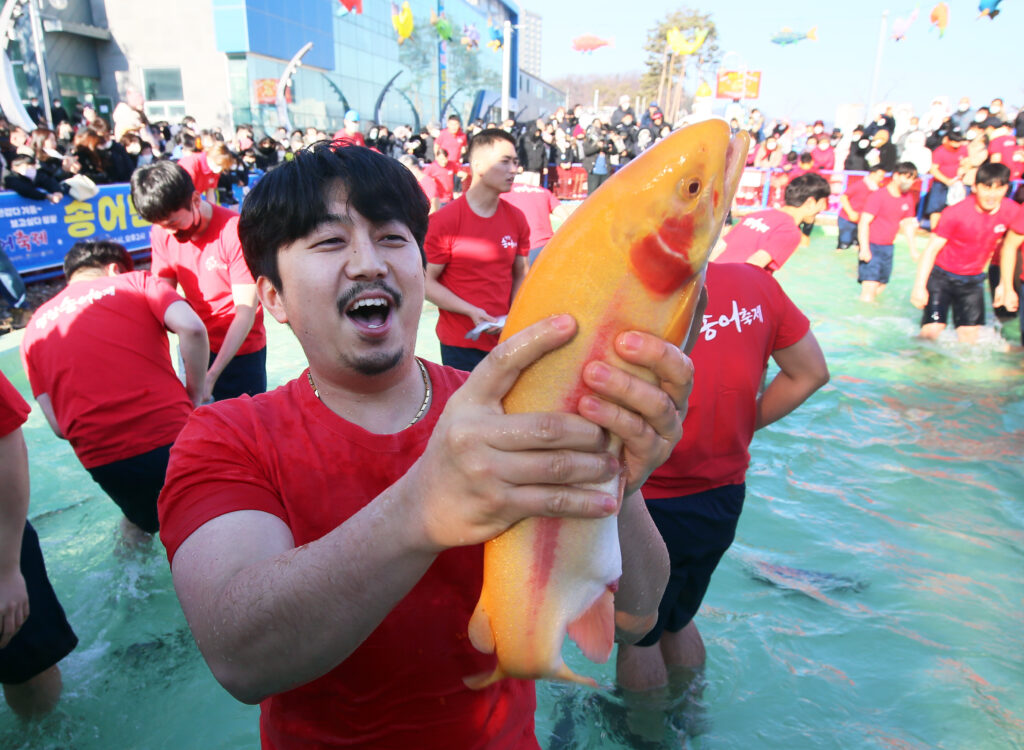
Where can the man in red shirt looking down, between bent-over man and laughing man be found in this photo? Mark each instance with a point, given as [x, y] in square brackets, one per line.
[196, 245]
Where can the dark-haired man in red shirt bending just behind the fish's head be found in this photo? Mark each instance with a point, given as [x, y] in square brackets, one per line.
[769, 238]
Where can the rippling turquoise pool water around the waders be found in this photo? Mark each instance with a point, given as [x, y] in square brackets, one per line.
[874, 597]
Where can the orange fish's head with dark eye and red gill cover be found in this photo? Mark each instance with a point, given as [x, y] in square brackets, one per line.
[686, 199]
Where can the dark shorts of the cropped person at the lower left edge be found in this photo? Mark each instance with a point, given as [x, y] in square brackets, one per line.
[46, 638]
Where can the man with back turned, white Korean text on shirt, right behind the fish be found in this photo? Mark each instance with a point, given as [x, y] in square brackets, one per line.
[697, 496]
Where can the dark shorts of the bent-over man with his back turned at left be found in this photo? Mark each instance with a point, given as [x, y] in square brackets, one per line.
[135, 484]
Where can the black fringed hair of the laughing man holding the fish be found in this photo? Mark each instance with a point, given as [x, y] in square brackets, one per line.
[291, 201]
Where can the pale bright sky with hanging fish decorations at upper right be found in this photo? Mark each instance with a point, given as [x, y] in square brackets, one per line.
[812, 79]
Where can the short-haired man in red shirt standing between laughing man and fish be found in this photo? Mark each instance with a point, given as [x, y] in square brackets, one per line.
[477, 255]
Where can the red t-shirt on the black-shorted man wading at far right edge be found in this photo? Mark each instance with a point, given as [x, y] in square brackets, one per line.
[972, 236]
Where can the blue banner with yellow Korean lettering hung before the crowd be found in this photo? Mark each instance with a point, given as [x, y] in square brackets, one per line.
[37, 235]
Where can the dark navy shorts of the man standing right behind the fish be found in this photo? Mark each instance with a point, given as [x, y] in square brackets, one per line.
[697, 529]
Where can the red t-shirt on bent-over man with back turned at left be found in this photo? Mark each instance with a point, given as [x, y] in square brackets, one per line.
[100, 351]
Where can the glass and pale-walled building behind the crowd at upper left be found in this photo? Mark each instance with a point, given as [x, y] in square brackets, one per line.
[222, 61]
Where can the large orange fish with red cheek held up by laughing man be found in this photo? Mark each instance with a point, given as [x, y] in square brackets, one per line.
[631, 258]
